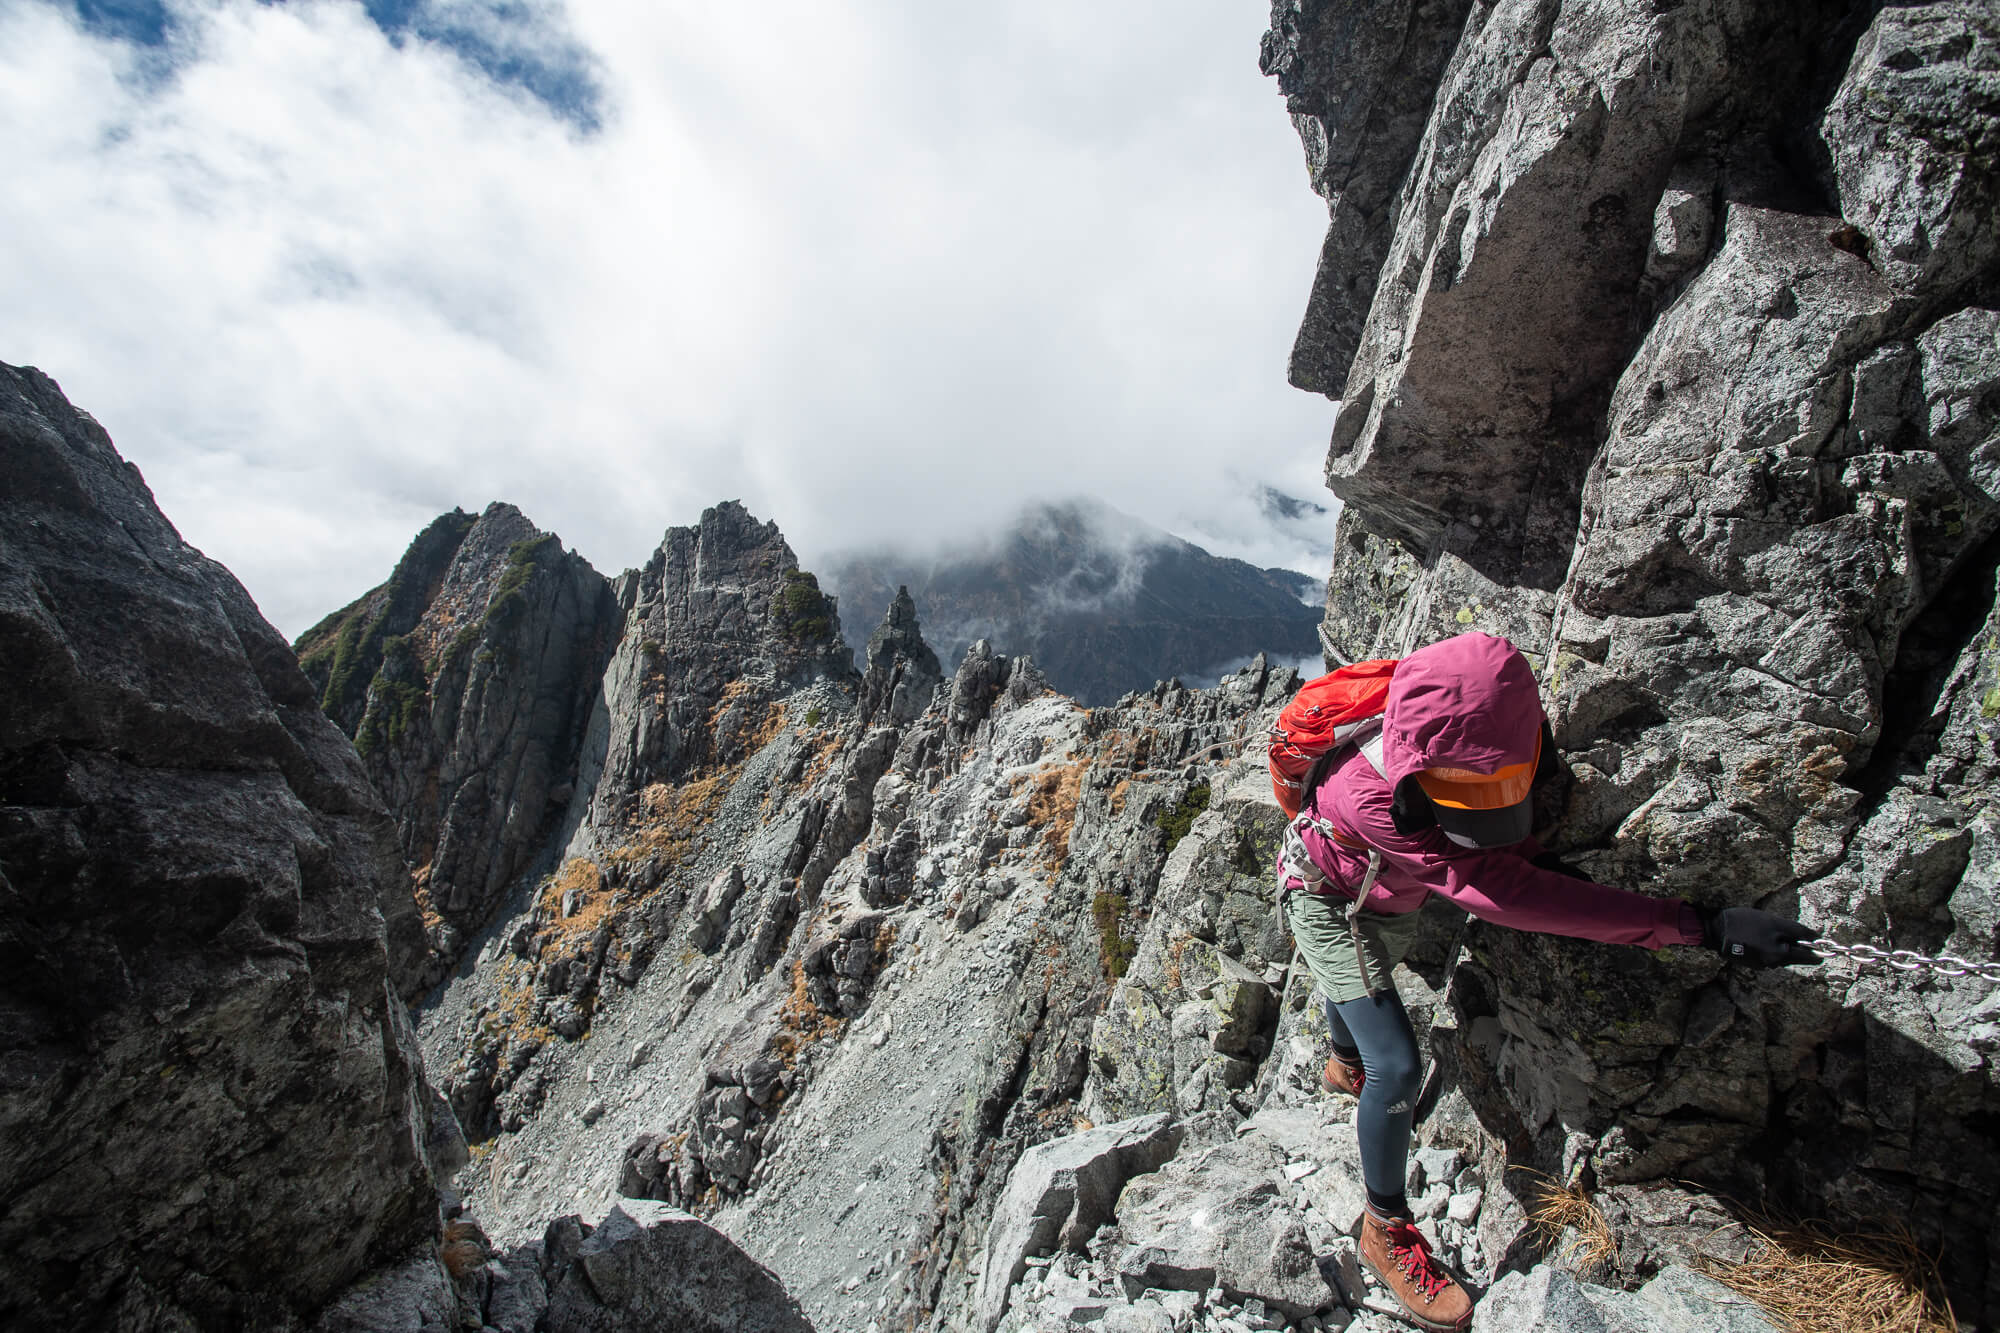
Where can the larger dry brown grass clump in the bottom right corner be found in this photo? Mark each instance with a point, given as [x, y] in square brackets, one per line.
[1817, 1282]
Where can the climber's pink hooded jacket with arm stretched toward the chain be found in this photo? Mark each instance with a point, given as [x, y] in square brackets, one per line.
[1469, 704]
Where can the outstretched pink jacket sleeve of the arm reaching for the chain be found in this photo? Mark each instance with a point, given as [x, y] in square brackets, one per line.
[1503, 888]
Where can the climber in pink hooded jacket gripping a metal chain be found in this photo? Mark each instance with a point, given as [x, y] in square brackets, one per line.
[1439, 802]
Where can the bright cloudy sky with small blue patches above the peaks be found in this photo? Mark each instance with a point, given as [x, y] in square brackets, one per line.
[883, 271]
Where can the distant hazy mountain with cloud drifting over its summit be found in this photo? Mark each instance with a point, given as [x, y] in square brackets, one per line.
[1103, 601]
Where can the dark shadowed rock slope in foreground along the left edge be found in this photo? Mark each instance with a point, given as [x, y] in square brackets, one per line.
[211, 1104]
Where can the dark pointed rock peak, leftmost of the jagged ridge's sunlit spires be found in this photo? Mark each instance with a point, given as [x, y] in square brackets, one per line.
[465, 684]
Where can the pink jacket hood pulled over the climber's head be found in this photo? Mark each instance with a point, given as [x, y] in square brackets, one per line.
[1461, 704]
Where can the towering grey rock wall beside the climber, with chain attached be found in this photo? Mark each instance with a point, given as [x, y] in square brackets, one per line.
[1667, 347]
